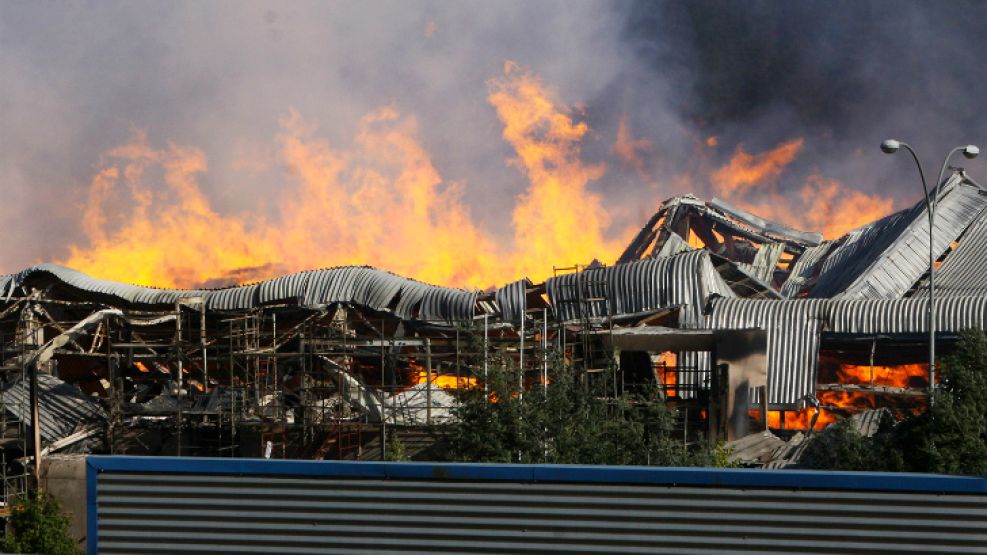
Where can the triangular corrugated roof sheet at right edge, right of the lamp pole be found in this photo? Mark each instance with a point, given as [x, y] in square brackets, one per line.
[963, 272]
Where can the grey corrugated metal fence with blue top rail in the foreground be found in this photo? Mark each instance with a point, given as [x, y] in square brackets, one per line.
[173, 505]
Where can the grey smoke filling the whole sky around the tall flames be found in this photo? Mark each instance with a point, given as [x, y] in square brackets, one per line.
[669, 93]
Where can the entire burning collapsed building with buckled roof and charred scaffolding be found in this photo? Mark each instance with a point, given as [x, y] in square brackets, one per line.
[722, 311]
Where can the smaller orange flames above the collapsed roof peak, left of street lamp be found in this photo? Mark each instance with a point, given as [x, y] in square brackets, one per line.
[822, 204]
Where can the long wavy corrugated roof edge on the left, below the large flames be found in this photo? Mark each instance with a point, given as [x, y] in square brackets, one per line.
[363, 286]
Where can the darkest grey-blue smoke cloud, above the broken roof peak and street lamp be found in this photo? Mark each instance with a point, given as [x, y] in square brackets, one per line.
[842, 75]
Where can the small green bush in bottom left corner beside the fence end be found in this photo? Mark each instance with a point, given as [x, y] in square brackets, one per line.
[37, 525]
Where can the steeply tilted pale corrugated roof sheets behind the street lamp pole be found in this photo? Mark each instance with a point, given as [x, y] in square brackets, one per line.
[886, 258]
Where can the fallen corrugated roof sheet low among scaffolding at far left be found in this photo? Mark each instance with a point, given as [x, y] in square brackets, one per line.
[62, 407]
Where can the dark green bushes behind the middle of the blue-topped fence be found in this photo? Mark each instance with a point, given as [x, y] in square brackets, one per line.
[565, 423]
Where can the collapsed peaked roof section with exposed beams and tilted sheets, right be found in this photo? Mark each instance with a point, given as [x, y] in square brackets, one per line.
[886, 259]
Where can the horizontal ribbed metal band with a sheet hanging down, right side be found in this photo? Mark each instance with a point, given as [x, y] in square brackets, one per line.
[794, 328]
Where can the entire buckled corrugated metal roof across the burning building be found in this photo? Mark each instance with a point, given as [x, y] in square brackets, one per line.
[706, 264]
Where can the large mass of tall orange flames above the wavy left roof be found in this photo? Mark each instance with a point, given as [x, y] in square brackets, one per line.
[380, 201]
